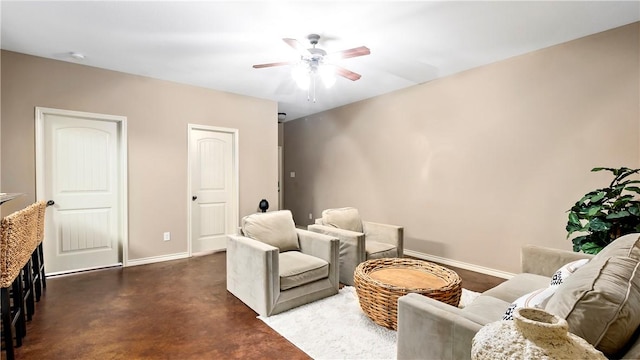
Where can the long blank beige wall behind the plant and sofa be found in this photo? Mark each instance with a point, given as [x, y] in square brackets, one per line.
[476, 164]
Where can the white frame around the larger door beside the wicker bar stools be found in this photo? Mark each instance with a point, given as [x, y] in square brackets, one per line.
[121, 122]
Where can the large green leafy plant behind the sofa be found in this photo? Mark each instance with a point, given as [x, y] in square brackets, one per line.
[603, 215]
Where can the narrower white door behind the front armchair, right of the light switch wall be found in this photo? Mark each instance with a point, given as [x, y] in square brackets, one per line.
[213, 189]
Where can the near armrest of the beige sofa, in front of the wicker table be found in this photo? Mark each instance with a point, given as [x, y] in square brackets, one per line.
[448, 332]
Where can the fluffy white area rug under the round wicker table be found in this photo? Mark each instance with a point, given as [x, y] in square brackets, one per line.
[336, 328]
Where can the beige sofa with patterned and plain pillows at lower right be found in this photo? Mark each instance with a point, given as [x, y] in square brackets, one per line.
[600, 301]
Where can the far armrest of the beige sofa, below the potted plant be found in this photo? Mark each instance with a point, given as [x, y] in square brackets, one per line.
[545, 261]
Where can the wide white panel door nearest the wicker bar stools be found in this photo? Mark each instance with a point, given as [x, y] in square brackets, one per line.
[81, 169]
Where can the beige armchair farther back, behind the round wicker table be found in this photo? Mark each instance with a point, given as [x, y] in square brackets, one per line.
[359, 240]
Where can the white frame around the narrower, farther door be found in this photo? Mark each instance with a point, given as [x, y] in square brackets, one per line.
[236, 173]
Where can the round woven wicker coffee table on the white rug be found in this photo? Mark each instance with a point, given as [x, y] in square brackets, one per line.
[380, 282]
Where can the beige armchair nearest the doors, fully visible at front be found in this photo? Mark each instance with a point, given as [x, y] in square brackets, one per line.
[273, 267]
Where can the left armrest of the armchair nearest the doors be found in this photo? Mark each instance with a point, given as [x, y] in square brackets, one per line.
[252, 272]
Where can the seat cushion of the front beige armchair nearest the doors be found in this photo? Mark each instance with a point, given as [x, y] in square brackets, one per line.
[298, 269]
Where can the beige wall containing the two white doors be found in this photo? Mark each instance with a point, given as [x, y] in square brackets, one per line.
[157, 113]
